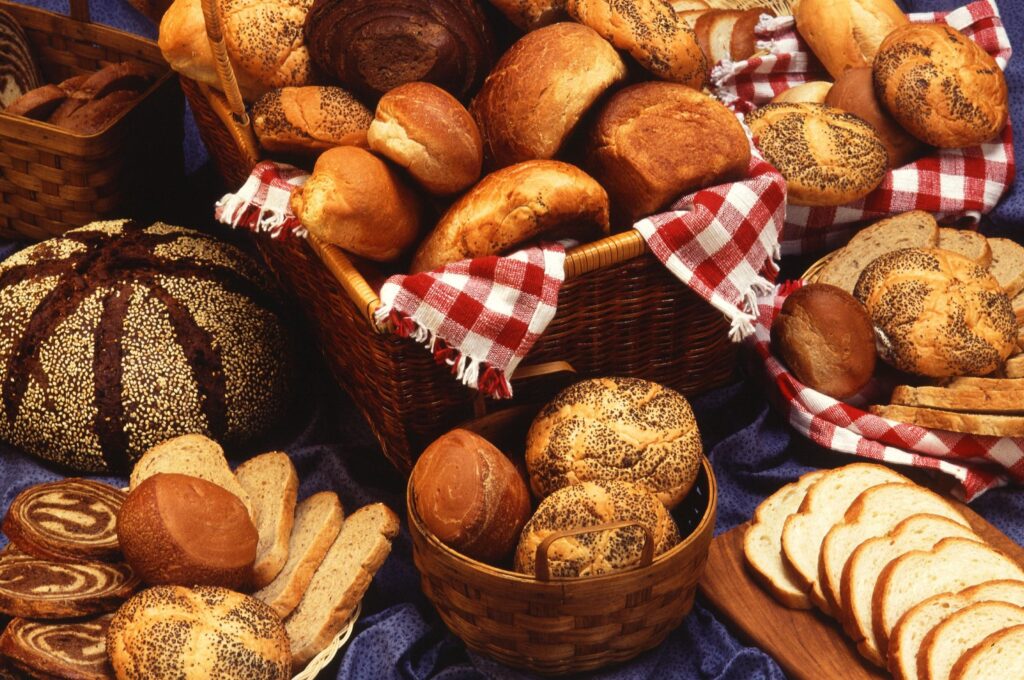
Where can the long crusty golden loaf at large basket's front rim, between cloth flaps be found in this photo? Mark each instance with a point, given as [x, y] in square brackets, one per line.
[515, 206]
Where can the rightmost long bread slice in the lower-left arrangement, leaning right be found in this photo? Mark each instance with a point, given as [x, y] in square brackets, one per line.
[340, 582]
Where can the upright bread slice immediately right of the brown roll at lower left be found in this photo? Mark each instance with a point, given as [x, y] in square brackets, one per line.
[273, 486]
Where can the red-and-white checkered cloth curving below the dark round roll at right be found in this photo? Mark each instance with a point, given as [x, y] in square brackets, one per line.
[978, 463]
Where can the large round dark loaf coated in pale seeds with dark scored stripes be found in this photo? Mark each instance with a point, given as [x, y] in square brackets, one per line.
[118, 336]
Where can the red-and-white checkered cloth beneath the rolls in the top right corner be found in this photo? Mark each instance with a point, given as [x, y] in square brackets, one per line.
[956, 185]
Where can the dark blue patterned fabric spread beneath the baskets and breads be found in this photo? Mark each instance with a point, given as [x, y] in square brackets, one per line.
[752, 450]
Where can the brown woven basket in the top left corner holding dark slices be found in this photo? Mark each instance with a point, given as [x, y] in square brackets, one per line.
[53, 180]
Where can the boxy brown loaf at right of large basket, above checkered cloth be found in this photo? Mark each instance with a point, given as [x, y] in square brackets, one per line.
[655, 142]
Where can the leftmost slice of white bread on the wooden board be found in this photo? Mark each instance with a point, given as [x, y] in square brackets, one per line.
[763, 542]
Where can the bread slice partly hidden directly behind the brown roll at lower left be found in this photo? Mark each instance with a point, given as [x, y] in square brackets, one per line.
[195, 456]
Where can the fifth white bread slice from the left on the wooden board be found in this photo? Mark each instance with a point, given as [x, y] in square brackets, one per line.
[951, 567]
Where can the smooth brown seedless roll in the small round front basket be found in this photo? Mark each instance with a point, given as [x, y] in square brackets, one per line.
[471, 496]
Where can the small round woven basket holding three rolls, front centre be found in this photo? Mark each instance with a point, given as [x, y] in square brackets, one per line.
[561, 626]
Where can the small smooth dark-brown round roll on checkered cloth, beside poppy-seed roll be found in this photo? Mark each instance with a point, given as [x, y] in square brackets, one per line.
[826, 338]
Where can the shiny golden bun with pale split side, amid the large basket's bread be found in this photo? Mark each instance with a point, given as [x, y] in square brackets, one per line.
[425, 131]
